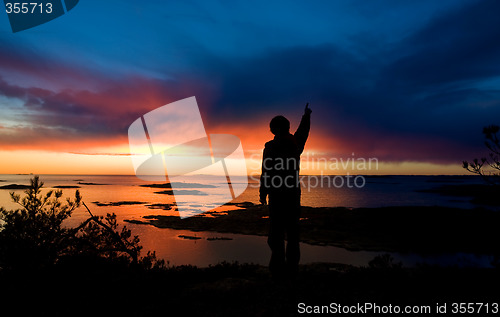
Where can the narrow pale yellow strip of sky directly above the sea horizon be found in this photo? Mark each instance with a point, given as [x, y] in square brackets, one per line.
[38, 162]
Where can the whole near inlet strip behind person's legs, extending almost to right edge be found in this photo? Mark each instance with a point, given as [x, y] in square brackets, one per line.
[253, 249]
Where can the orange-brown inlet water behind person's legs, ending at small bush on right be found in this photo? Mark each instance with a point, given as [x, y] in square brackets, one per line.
[241, 248]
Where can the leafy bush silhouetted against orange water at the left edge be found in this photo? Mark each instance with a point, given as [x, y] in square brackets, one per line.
[34, 236]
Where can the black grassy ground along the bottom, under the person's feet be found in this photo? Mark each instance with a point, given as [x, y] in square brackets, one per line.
[80, 287]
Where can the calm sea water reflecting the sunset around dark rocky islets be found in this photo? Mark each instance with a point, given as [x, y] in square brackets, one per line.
[377, 192]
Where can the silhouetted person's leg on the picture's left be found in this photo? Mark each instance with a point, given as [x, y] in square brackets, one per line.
[276, 239]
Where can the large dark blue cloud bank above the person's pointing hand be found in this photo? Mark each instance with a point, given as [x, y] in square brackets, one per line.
[428, 86]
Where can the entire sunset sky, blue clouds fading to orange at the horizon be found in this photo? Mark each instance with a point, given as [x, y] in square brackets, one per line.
[410, 83]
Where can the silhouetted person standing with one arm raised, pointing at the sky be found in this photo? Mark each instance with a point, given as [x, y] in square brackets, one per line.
[280, 181]
